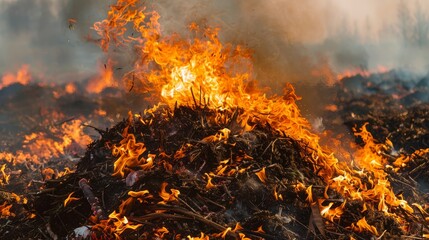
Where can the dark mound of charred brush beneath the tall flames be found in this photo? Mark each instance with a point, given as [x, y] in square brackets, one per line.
[189, 171]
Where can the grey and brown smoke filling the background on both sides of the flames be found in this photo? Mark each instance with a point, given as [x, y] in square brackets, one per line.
[295, 41]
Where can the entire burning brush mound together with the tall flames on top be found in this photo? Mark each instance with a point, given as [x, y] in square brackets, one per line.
[216, 159]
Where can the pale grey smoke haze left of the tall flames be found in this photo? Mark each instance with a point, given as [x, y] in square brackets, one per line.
[37, 33]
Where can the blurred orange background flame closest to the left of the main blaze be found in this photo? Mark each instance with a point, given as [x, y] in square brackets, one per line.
[104, 80]
